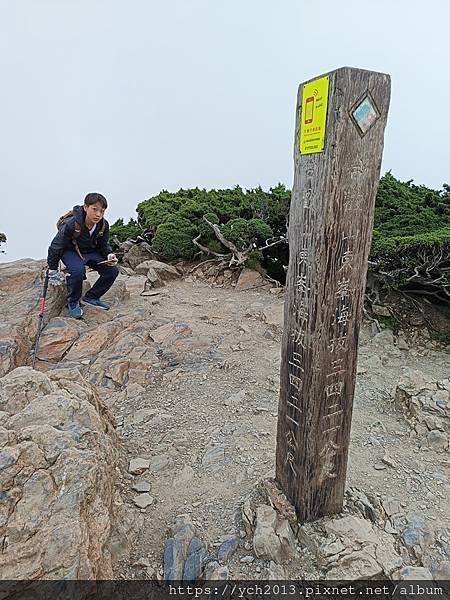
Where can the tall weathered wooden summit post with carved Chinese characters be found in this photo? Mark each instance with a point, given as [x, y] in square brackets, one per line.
[340, 122]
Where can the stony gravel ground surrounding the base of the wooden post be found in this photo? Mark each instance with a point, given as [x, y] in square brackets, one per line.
[190, 372]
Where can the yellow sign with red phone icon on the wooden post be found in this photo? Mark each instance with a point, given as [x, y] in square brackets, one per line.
[314, 116]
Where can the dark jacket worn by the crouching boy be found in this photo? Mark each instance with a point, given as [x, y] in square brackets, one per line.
[86, 243]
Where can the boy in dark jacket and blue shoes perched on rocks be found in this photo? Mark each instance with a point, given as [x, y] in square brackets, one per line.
[82, 239]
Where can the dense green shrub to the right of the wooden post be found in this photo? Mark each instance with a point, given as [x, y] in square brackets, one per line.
[411, 238]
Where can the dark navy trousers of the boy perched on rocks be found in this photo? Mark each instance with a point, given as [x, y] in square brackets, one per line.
[76, 267]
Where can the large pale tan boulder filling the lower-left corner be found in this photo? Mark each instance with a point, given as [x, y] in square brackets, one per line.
[57, 474]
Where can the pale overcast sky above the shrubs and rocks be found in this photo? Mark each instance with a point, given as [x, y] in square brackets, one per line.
[128, 98]
